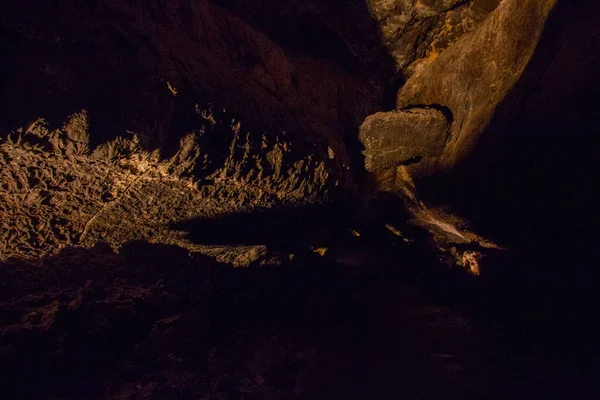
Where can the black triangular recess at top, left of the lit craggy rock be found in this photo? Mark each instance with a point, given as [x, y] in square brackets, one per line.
[340, 31]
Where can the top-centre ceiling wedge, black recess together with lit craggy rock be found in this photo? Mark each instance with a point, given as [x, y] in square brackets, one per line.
[376, 38]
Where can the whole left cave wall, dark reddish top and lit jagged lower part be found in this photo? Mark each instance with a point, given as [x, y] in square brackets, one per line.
[163, 105]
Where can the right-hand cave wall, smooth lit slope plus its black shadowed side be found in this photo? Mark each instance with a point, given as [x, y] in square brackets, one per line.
[520, 90]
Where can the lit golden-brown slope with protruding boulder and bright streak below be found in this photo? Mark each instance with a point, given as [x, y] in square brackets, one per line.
[468, 82]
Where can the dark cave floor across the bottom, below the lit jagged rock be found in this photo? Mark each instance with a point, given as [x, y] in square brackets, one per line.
[363, 321]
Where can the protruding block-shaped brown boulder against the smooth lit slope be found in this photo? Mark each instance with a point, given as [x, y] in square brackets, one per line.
[402, 137]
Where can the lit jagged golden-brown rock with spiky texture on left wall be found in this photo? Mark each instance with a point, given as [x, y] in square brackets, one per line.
[57, 193]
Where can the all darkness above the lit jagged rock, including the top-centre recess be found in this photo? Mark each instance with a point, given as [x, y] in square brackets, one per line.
[61, 59]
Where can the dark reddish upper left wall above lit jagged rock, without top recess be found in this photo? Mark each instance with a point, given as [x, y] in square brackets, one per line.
[138, 66]
